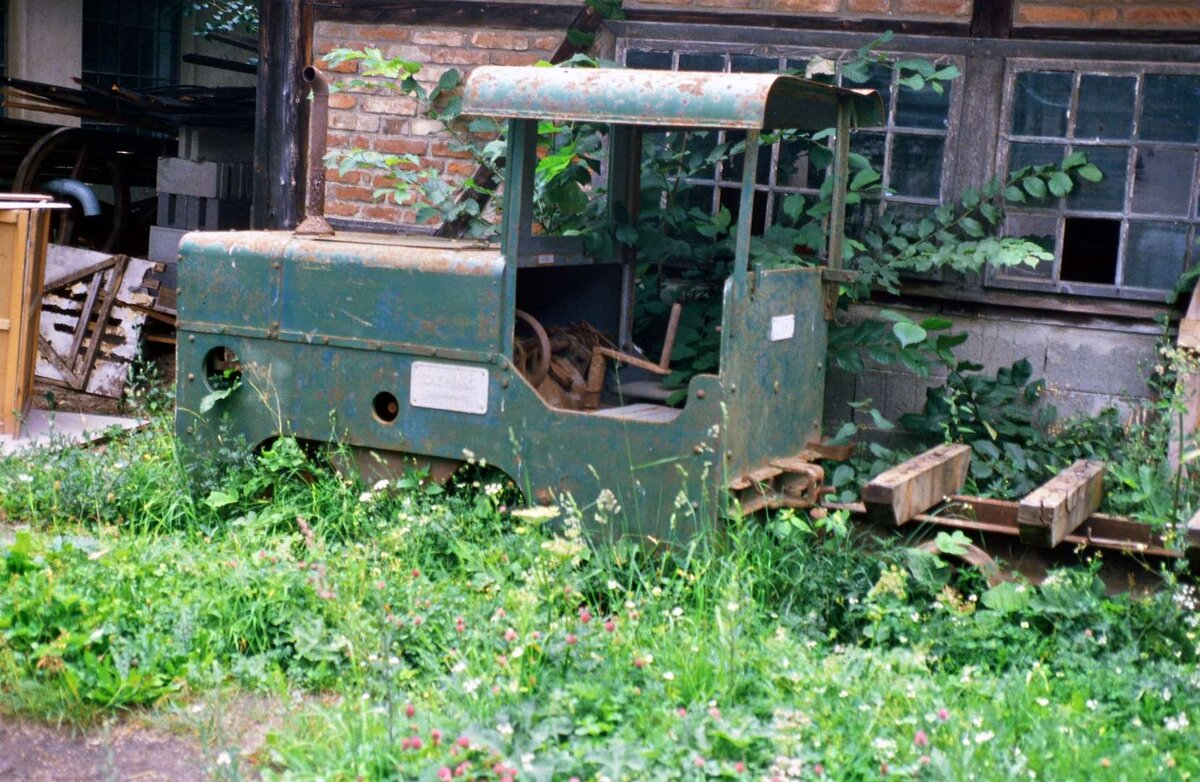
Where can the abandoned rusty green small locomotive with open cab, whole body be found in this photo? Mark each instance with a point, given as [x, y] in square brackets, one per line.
[421, 351]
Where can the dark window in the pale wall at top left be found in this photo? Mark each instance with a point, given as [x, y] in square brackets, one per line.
[131, 44]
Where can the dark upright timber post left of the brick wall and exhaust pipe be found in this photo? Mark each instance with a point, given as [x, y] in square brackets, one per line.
[279, 129]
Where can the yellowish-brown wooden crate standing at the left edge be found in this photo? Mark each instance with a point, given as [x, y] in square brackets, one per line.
[25, 228]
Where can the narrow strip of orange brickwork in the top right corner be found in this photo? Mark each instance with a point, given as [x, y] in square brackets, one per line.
[1147, 15]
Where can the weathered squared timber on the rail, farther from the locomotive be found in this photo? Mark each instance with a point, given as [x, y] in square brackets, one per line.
[1057, 508]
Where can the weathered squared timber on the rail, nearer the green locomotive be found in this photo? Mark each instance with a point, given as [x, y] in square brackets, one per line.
[917, 485]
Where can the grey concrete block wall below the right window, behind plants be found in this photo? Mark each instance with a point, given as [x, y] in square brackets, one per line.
[1089, 365]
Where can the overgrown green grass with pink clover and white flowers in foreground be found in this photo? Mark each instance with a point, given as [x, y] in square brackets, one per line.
[449, 637]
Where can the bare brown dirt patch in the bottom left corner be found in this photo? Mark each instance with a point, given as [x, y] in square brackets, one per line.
[39, 753]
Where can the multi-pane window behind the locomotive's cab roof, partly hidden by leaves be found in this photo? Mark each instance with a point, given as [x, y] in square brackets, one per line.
[910, 152]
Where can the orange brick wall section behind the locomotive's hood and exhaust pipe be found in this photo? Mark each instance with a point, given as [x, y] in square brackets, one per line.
[377, 119]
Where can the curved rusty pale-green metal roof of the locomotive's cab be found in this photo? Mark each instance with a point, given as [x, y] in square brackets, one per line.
[673, 99]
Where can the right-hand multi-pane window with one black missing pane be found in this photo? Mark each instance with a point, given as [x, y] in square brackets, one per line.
[1132, 234]
